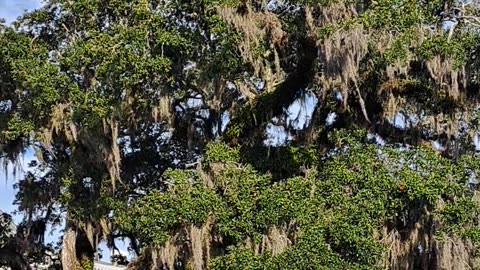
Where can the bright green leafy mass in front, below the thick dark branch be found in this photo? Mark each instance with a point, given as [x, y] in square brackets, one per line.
[345, 216]
